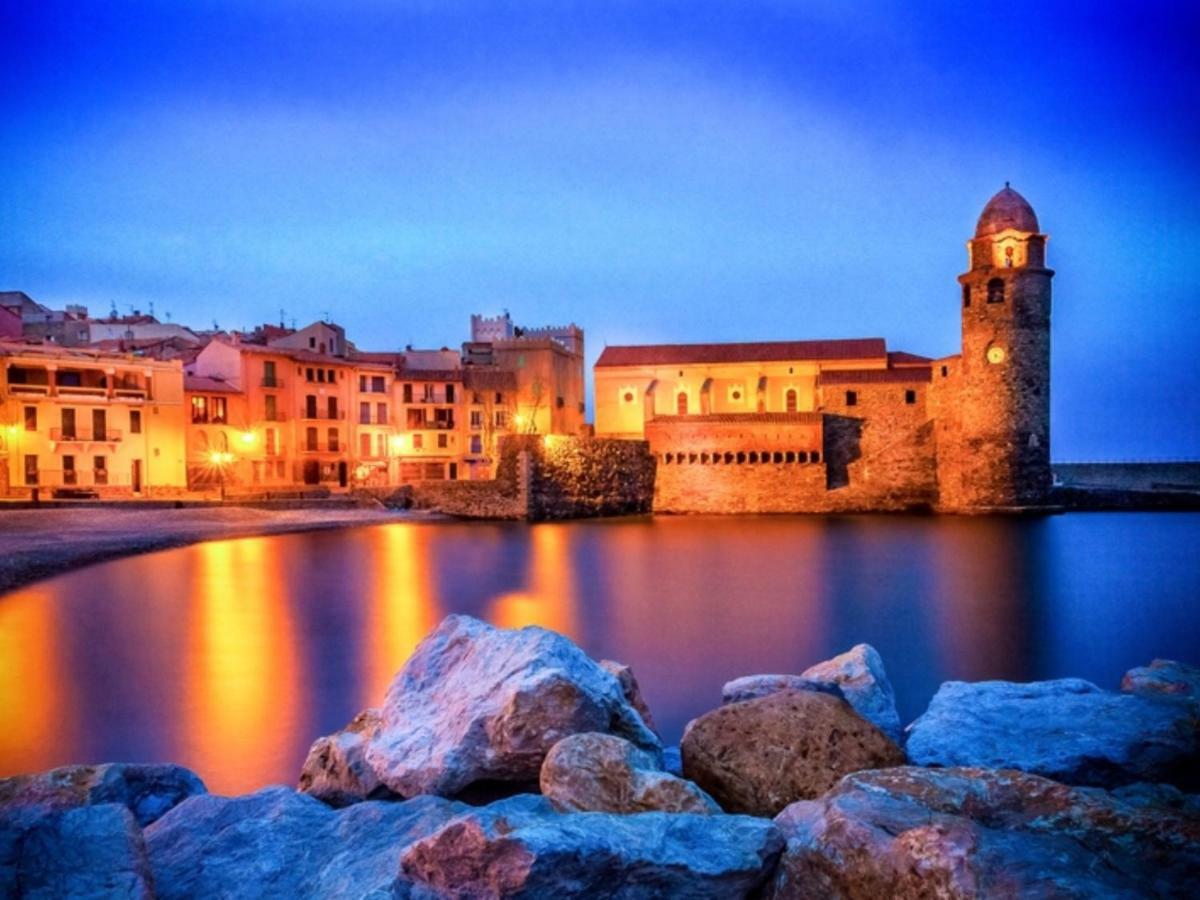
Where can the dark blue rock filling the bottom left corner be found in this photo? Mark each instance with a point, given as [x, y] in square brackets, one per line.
[94, 851]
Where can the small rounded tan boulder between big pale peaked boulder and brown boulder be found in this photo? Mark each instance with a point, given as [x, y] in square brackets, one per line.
[602, 773]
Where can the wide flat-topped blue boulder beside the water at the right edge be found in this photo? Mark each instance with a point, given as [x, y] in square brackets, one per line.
[1069, 730]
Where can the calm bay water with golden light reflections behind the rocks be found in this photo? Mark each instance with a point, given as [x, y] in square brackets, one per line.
[231, 657]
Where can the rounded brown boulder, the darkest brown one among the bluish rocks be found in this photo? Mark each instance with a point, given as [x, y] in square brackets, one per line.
[760, 755]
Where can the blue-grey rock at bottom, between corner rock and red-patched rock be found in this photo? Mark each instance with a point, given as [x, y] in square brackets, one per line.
[279, 843]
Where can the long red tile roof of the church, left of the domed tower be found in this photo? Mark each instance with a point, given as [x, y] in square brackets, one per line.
[670, 355]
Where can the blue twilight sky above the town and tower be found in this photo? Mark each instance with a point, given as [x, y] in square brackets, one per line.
[656, 172]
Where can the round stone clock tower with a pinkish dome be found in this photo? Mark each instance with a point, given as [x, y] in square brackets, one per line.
[1001, 457]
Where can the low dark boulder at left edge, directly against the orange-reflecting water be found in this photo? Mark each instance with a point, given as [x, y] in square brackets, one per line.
[148, 791]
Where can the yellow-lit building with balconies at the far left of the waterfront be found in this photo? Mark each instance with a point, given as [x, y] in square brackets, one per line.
[80, 421]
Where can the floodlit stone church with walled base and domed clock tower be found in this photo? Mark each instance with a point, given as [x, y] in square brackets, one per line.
[826, 425]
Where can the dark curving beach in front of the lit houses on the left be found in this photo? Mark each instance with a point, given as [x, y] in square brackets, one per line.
[47, 543]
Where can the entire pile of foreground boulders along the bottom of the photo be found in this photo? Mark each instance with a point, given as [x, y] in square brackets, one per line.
[507, 764]
